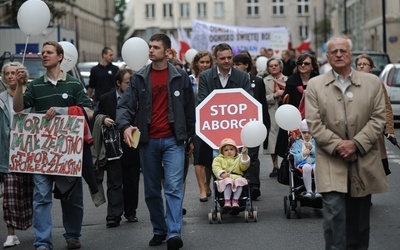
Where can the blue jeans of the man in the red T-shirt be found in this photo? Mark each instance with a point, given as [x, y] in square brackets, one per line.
[164, 159]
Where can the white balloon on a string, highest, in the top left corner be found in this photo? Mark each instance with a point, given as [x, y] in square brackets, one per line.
[33, 17]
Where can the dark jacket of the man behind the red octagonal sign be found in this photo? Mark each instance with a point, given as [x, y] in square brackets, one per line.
[209, 80]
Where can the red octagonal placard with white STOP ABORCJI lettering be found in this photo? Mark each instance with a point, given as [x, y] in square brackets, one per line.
[223, 113]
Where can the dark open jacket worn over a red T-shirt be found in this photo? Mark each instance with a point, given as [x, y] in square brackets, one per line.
[135, 106]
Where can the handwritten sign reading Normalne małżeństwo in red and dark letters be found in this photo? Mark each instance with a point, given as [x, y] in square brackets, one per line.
[41, 146]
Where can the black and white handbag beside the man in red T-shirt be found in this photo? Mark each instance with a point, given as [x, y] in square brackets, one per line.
[112, 142]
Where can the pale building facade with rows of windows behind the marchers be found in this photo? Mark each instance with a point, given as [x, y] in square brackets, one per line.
[145, 17]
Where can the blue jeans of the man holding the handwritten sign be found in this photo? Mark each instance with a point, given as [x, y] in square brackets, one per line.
[72, 210]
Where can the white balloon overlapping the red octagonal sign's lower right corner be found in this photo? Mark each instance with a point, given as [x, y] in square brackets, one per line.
[253, 134]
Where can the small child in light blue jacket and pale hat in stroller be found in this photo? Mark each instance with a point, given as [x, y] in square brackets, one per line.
[303, 151]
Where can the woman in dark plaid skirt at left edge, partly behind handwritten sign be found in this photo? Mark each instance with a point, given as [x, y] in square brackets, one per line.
[18, 187]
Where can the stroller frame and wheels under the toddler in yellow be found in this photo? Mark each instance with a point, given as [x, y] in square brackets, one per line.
[245, 204]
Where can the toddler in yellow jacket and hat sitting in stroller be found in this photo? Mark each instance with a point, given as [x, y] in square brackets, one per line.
[229, 167]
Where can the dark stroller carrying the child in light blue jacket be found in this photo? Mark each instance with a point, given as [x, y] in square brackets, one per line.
[295, 200]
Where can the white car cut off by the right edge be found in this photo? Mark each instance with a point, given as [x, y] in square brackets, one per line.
[390, 77]
